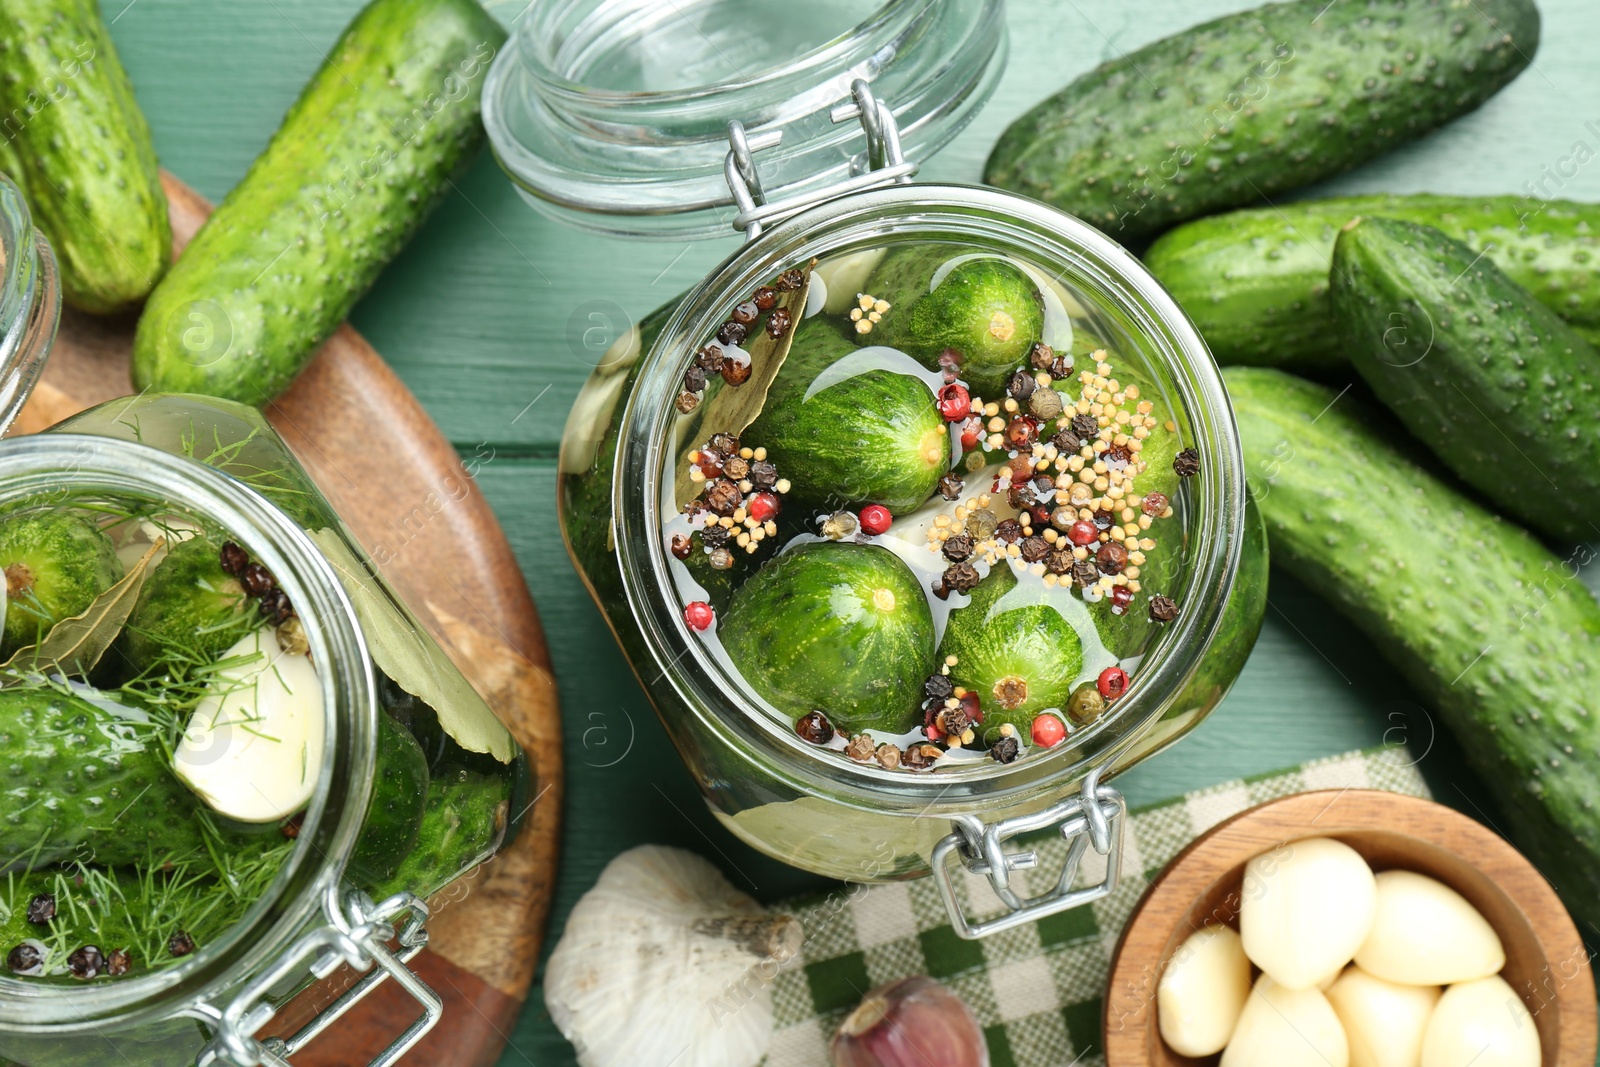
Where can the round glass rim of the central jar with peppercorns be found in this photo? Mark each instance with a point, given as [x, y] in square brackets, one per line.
[646, 444]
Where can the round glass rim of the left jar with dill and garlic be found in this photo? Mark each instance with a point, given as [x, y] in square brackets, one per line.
[47, 465]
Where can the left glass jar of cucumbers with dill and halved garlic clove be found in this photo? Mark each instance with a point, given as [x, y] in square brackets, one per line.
[231, 756]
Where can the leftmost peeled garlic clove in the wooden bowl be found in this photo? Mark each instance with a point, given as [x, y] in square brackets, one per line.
[1202, 993]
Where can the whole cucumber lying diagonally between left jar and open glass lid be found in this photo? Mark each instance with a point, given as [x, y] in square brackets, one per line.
[361, 159]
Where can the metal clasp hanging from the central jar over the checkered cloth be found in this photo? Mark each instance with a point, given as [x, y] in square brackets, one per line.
[1094, 817]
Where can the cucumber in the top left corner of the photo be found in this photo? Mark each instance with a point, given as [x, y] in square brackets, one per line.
[81, 151]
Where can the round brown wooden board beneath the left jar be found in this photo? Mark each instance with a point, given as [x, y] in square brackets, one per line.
[399, 484]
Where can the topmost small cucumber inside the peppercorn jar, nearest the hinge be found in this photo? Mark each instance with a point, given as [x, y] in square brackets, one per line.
[985, 308]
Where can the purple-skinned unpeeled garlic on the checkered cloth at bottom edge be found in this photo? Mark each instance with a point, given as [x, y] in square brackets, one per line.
[911, 1023]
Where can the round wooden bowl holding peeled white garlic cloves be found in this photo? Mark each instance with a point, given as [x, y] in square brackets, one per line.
[1546, 961]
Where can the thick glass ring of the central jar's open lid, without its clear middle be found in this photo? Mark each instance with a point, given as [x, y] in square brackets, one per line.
[652, 164]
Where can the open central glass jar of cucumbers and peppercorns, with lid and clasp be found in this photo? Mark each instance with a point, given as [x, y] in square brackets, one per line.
[924, 514]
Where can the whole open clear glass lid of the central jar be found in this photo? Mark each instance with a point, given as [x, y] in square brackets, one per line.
[614, 116]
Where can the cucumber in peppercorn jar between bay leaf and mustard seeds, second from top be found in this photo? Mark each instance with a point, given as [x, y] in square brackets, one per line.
[870, 436]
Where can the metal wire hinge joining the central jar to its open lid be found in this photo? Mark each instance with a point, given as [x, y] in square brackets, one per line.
[887, 164]
